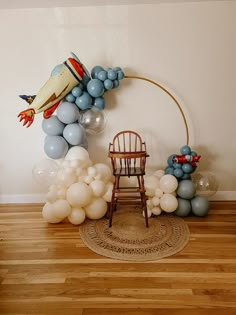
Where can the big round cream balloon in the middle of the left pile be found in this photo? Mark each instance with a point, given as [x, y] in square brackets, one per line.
[79, 194]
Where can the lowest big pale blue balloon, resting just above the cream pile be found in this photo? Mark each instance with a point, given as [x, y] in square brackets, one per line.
[55, 147]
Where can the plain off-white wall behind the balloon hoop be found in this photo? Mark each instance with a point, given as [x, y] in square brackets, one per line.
[189, 48]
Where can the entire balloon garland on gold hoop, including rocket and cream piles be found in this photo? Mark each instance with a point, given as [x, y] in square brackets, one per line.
[77, 188]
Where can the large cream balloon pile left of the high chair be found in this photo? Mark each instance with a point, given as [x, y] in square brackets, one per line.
[80, 188]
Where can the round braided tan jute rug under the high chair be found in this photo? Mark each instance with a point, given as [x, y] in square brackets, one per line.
[129, 239]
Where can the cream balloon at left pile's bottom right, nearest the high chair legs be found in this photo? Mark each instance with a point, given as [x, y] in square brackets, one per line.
[96, 209]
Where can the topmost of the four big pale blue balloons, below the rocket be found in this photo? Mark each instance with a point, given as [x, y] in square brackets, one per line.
[67, 112]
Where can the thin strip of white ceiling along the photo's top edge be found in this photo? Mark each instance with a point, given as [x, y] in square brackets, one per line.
[16, 4]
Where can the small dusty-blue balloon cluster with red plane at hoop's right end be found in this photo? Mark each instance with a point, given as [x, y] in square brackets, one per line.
[181, 166]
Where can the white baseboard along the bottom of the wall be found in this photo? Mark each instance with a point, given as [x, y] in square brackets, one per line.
[41, 198]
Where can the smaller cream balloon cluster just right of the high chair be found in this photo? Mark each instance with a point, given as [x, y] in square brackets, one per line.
[160, 191]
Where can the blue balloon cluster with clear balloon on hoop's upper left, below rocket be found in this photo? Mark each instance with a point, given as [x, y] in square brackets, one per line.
[80, 113]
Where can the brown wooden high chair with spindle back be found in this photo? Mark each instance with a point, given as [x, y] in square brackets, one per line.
[128, 158]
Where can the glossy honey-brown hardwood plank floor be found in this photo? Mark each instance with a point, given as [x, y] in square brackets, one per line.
[46, 269]
